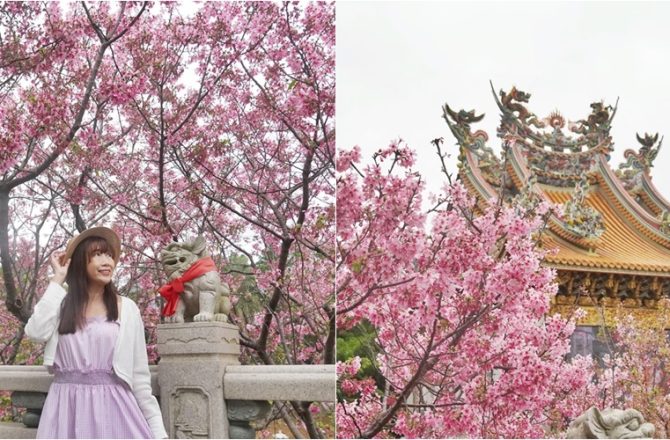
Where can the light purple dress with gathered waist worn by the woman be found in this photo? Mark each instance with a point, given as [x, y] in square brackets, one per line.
[86, 398]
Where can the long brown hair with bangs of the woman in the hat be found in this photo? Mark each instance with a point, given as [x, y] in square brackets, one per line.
[72, 314]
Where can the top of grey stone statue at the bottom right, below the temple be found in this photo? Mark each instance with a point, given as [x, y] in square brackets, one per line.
[610, 423]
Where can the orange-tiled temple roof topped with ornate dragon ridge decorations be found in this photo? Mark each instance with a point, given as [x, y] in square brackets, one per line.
[614, 221]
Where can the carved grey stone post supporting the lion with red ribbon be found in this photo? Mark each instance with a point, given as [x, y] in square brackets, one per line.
[194, 356]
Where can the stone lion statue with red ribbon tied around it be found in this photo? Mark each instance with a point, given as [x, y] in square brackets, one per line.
[205, 297]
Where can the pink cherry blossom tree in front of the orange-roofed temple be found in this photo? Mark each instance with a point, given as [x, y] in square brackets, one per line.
[459, 305]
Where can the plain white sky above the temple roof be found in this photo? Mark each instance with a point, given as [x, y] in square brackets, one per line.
[398, 63]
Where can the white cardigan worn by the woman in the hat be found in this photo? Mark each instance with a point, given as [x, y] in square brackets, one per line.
[130, 360]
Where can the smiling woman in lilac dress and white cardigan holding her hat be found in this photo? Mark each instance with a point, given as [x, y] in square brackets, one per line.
[95, 348]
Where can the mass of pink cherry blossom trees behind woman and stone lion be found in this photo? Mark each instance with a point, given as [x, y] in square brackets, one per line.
[165, 123]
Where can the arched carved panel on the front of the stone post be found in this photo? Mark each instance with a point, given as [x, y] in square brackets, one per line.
[191, 413]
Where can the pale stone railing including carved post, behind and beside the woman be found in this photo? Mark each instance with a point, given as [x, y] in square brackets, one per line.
[198, 377]
